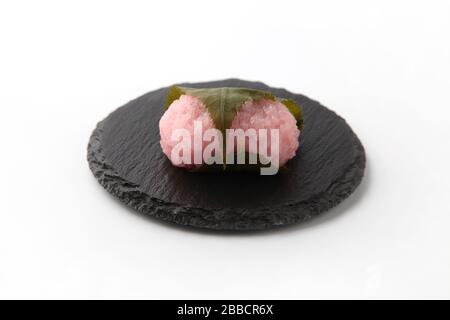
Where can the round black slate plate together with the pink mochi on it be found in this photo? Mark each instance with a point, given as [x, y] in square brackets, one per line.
[173, 153]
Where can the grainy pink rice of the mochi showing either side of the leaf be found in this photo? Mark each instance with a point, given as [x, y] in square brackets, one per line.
[259, 114]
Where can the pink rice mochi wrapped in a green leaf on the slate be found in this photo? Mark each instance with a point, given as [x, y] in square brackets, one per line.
[229, 126]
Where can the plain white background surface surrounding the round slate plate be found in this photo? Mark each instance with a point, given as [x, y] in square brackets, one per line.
[382, 65]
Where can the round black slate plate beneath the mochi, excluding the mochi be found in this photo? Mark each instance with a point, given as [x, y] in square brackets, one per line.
[125, 156]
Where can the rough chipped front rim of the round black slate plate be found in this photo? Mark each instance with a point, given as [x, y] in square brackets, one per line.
[224, 219]
